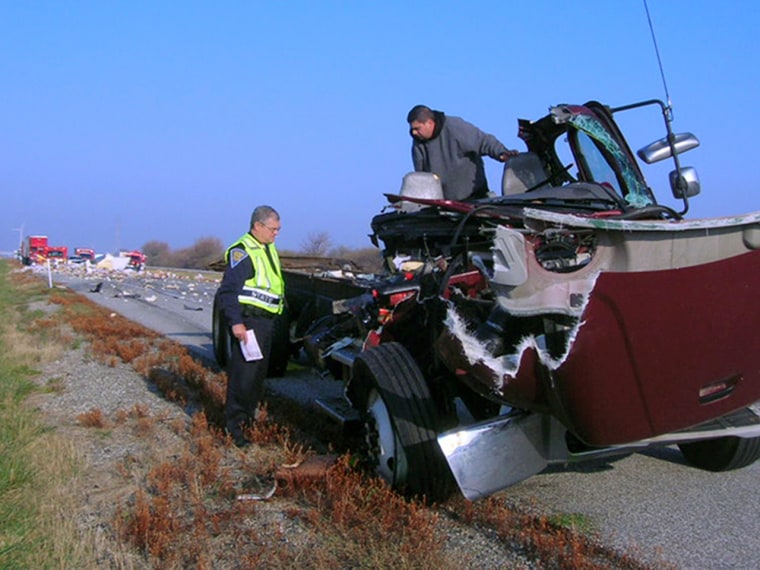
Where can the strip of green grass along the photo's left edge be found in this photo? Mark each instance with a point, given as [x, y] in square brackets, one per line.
[34, 465]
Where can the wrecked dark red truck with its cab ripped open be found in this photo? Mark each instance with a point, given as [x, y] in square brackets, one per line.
[570, 317]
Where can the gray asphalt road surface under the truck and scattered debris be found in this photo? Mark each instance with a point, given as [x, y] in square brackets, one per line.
[650, 504]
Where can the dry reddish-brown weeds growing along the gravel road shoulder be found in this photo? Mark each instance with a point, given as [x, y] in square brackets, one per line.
[185, 512]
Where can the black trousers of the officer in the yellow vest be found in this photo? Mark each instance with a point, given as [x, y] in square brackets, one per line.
[246, 379]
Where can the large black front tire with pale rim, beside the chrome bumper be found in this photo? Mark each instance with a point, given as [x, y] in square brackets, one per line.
[400, 420]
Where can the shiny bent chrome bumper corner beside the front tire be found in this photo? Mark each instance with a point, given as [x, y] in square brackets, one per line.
[489, 456]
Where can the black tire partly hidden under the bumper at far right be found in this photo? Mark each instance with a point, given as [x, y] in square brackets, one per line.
[722, 453]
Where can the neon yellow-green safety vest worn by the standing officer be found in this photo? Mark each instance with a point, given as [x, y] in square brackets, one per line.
[265, 289]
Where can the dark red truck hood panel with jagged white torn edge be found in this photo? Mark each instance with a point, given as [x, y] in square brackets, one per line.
[648, 343]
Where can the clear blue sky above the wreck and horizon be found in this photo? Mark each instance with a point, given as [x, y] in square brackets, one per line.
[130, 121]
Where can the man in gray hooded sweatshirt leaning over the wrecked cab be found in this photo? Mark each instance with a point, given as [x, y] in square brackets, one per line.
[453, 149]
